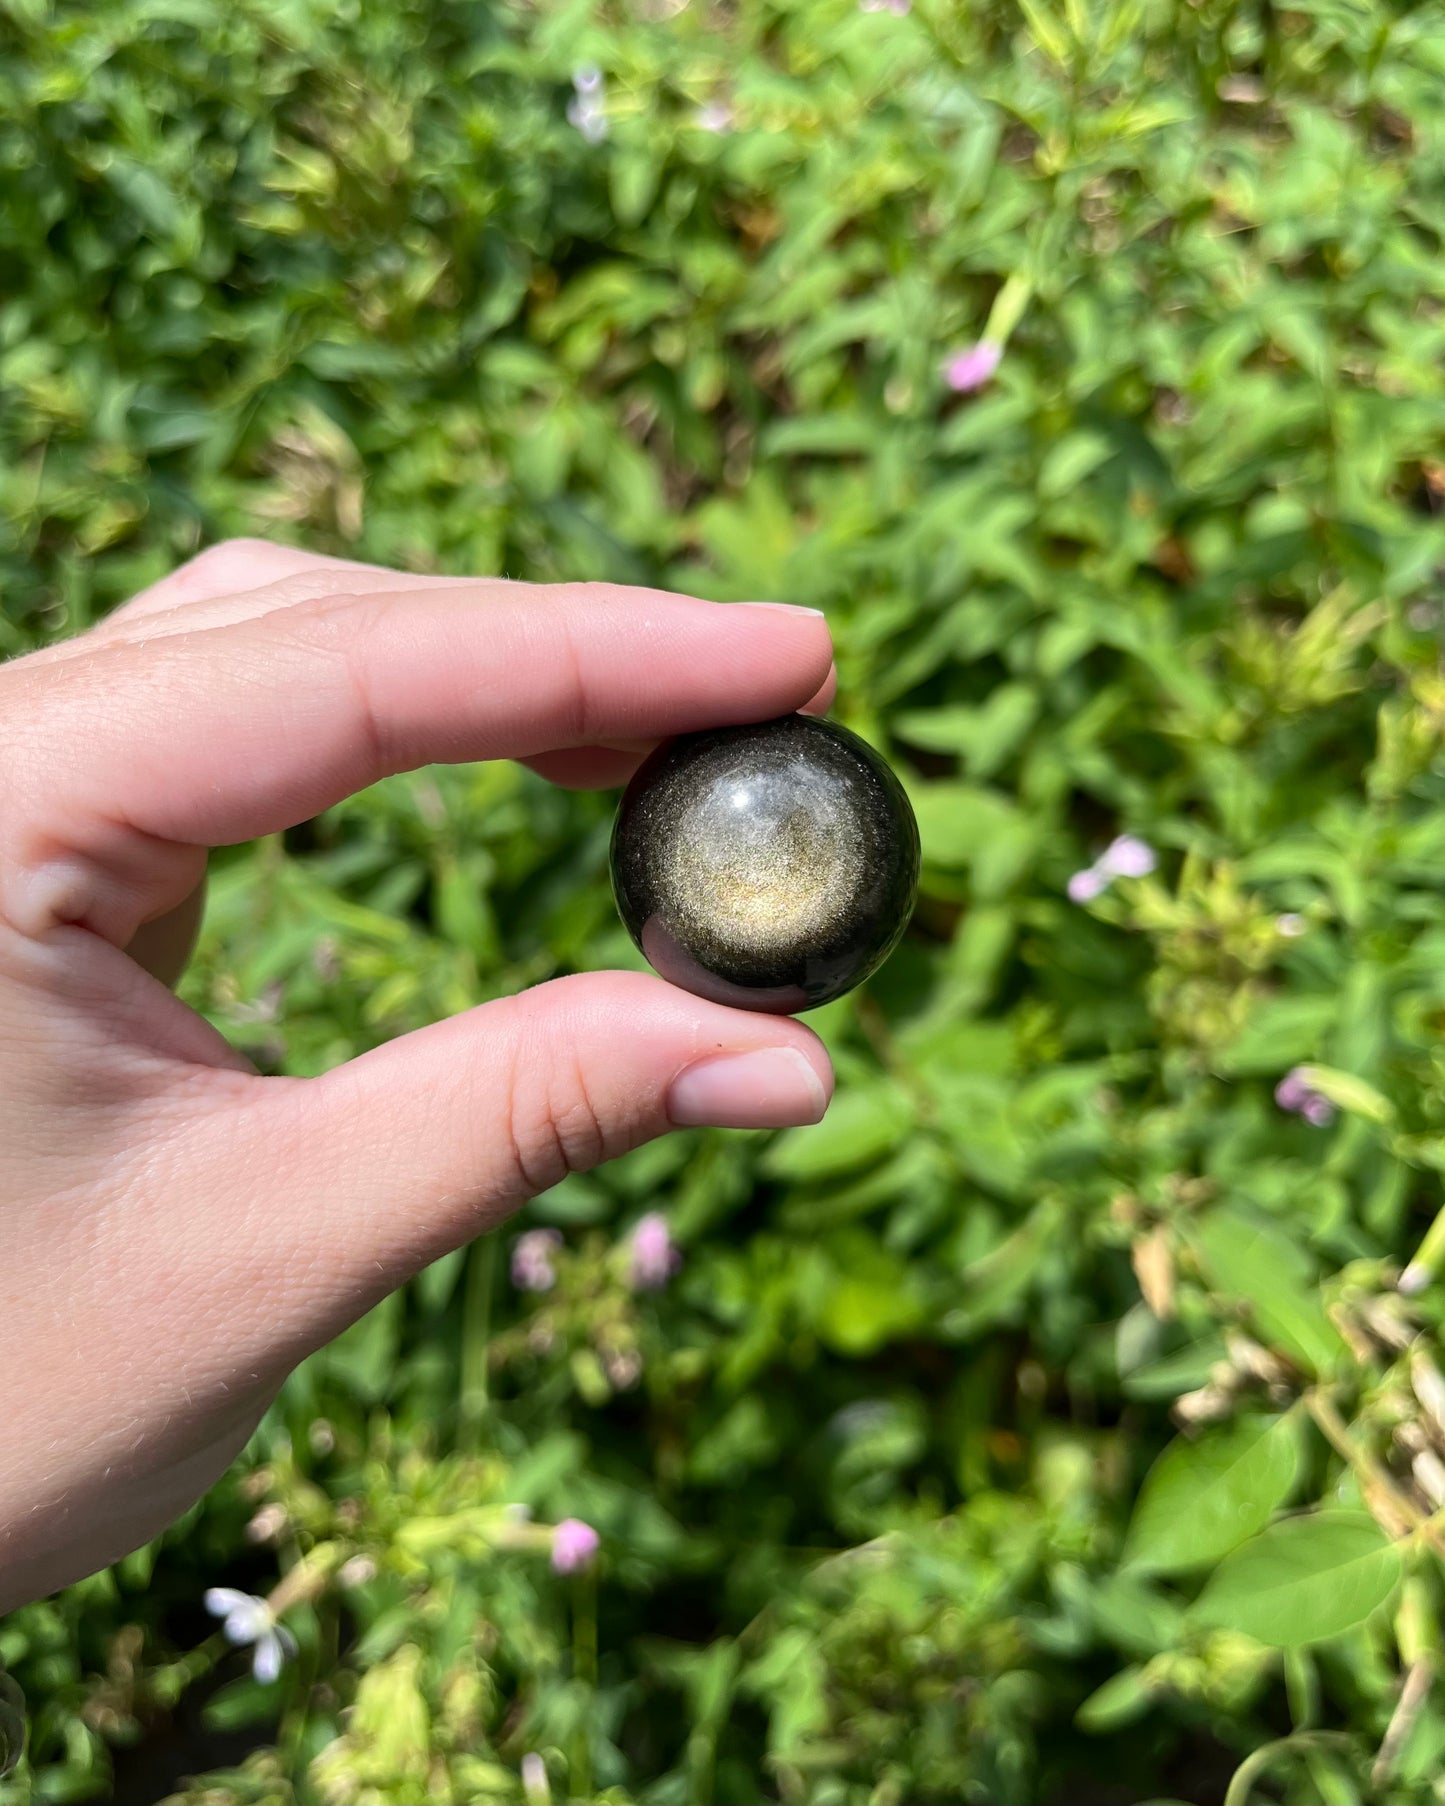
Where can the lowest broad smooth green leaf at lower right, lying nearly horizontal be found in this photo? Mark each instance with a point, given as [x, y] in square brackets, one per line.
[1303, 1581]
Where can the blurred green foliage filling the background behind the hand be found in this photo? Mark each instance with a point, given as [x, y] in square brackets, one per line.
[1050, 1424]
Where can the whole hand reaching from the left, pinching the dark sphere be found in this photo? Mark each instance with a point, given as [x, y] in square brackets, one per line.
[182, 1231]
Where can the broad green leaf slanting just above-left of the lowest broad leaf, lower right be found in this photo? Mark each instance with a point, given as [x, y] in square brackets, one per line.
[1206, 1496]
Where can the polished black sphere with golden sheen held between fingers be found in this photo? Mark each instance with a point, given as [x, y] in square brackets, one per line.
[770, 866]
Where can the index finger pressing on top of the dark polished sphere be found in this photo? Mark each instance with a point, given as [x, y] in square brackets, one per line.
[230, 732]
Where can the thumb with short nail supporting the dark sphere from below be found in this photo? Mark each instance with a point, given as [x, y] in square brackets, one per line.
[413, 1150]
